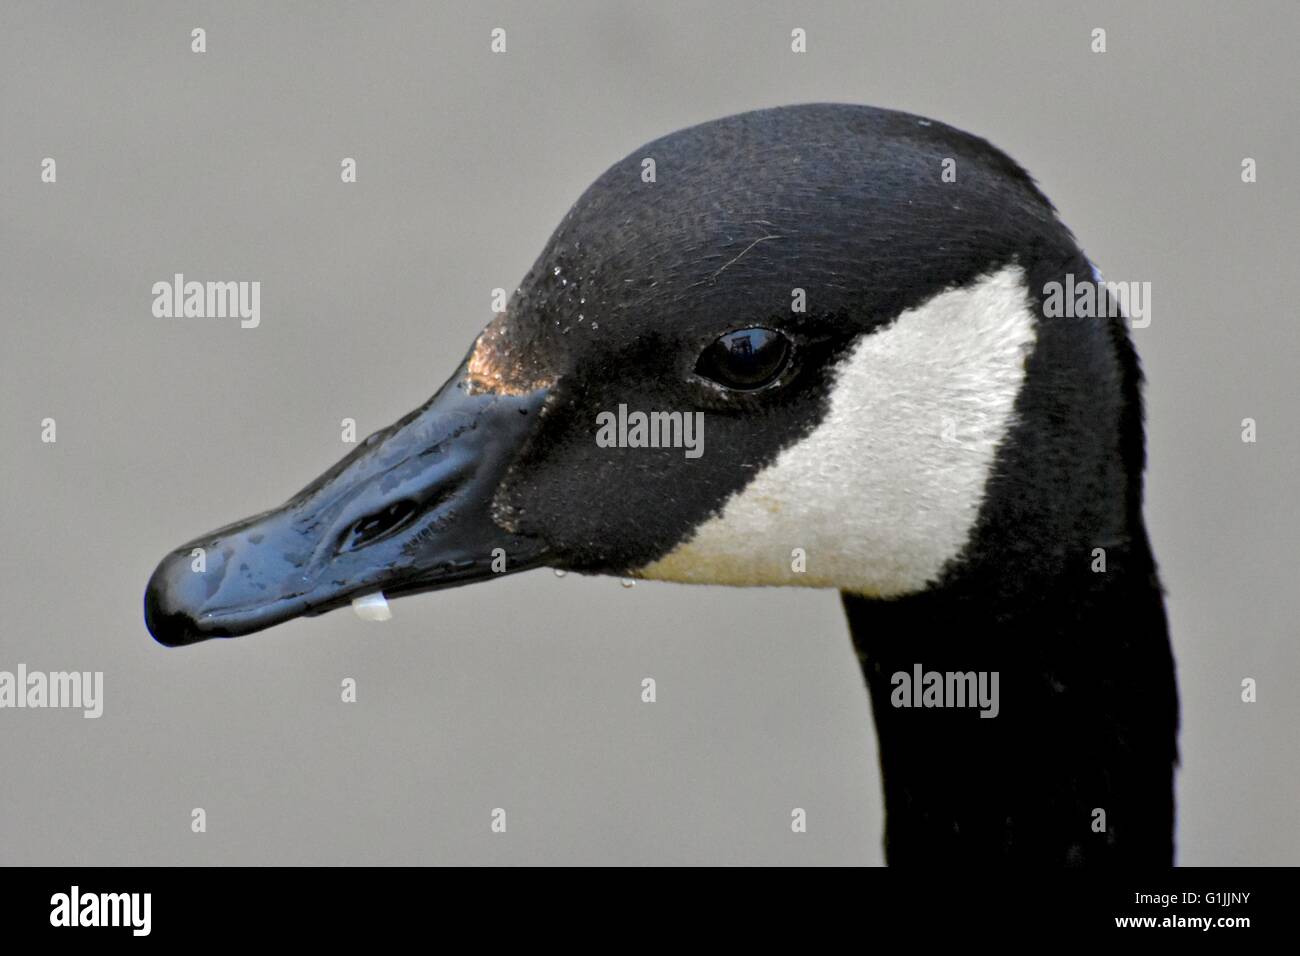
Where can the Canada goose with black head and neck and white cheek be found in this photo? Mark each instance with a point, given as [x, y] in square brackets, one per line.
[920, 435]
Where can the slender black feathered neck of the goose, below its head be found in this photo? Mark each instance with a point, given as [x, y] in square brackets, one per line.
[1087, 720]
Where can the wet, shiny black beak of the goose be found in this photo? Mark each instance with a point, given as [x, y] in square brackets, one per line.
[409, 511]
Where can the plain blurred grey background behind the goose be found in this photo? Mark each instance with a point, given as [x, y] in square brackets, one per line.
[525, 693]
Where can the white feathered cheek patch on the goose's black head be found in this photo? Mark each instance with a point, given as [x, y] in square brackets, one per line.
[885, 494]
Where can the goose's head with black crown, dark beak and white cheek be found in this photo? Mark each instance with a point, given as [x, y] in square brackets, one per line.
[848, 335]
